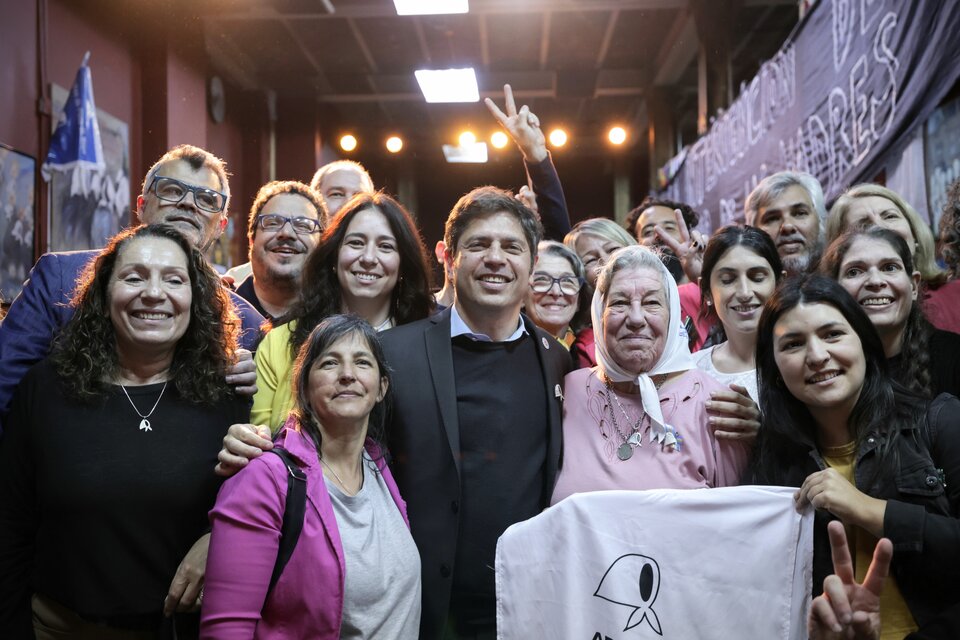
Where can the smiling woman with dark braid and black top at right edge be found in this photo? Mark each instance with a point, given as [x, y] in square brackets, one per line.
[876, 267]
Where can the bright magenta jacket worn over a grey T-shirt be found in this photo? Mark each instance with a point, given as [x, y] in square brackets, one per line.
[307, 601]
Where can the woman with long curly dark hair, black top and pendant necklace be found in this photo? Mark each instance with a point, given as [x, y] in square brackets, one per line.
[106, 465]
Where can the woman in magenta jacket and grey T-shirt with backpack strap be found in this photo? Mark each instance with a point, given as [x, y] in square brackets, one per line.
[355, 571]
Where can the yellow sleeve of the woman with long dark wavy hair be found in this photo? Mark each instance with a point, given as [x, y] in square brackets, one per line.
[274, 398]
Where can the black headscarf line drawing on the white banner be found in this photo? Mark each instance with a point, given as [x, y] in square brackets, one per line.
[619, 586]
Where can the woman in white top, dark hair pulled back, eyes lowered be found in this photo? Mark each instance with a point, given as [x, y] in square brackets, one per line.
[741, 268]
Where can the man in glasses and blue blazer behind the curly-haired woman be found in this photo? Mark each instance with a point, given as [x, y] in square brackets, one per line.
[186, 188]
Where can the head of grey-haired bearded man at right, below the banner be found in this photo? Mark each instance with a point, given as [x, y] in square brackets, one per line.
[789, 206]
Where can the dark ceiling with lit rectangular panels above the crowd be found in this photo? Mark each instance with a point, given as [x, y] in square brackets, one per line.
[581, 64]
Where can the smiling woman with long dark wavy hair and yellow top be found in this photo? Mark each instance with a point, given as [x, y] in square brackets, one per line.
[370, 262]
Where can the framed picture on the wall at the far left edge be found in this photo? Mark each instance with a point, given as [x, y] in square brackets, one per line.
[17, 179]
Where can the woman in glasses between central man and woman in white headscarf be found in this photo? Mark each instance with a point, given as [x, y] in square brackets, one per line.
[554, 302]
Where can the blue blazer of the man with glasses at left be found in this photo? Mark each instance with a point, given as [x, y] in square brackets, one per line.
[43, 307]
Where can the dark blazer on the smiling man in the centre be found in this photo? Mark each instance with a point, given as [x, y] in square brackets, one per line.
[424, 439]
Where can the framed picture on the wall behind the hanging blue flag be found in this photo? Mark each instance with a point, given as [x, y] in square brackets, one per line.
[86, 220]
